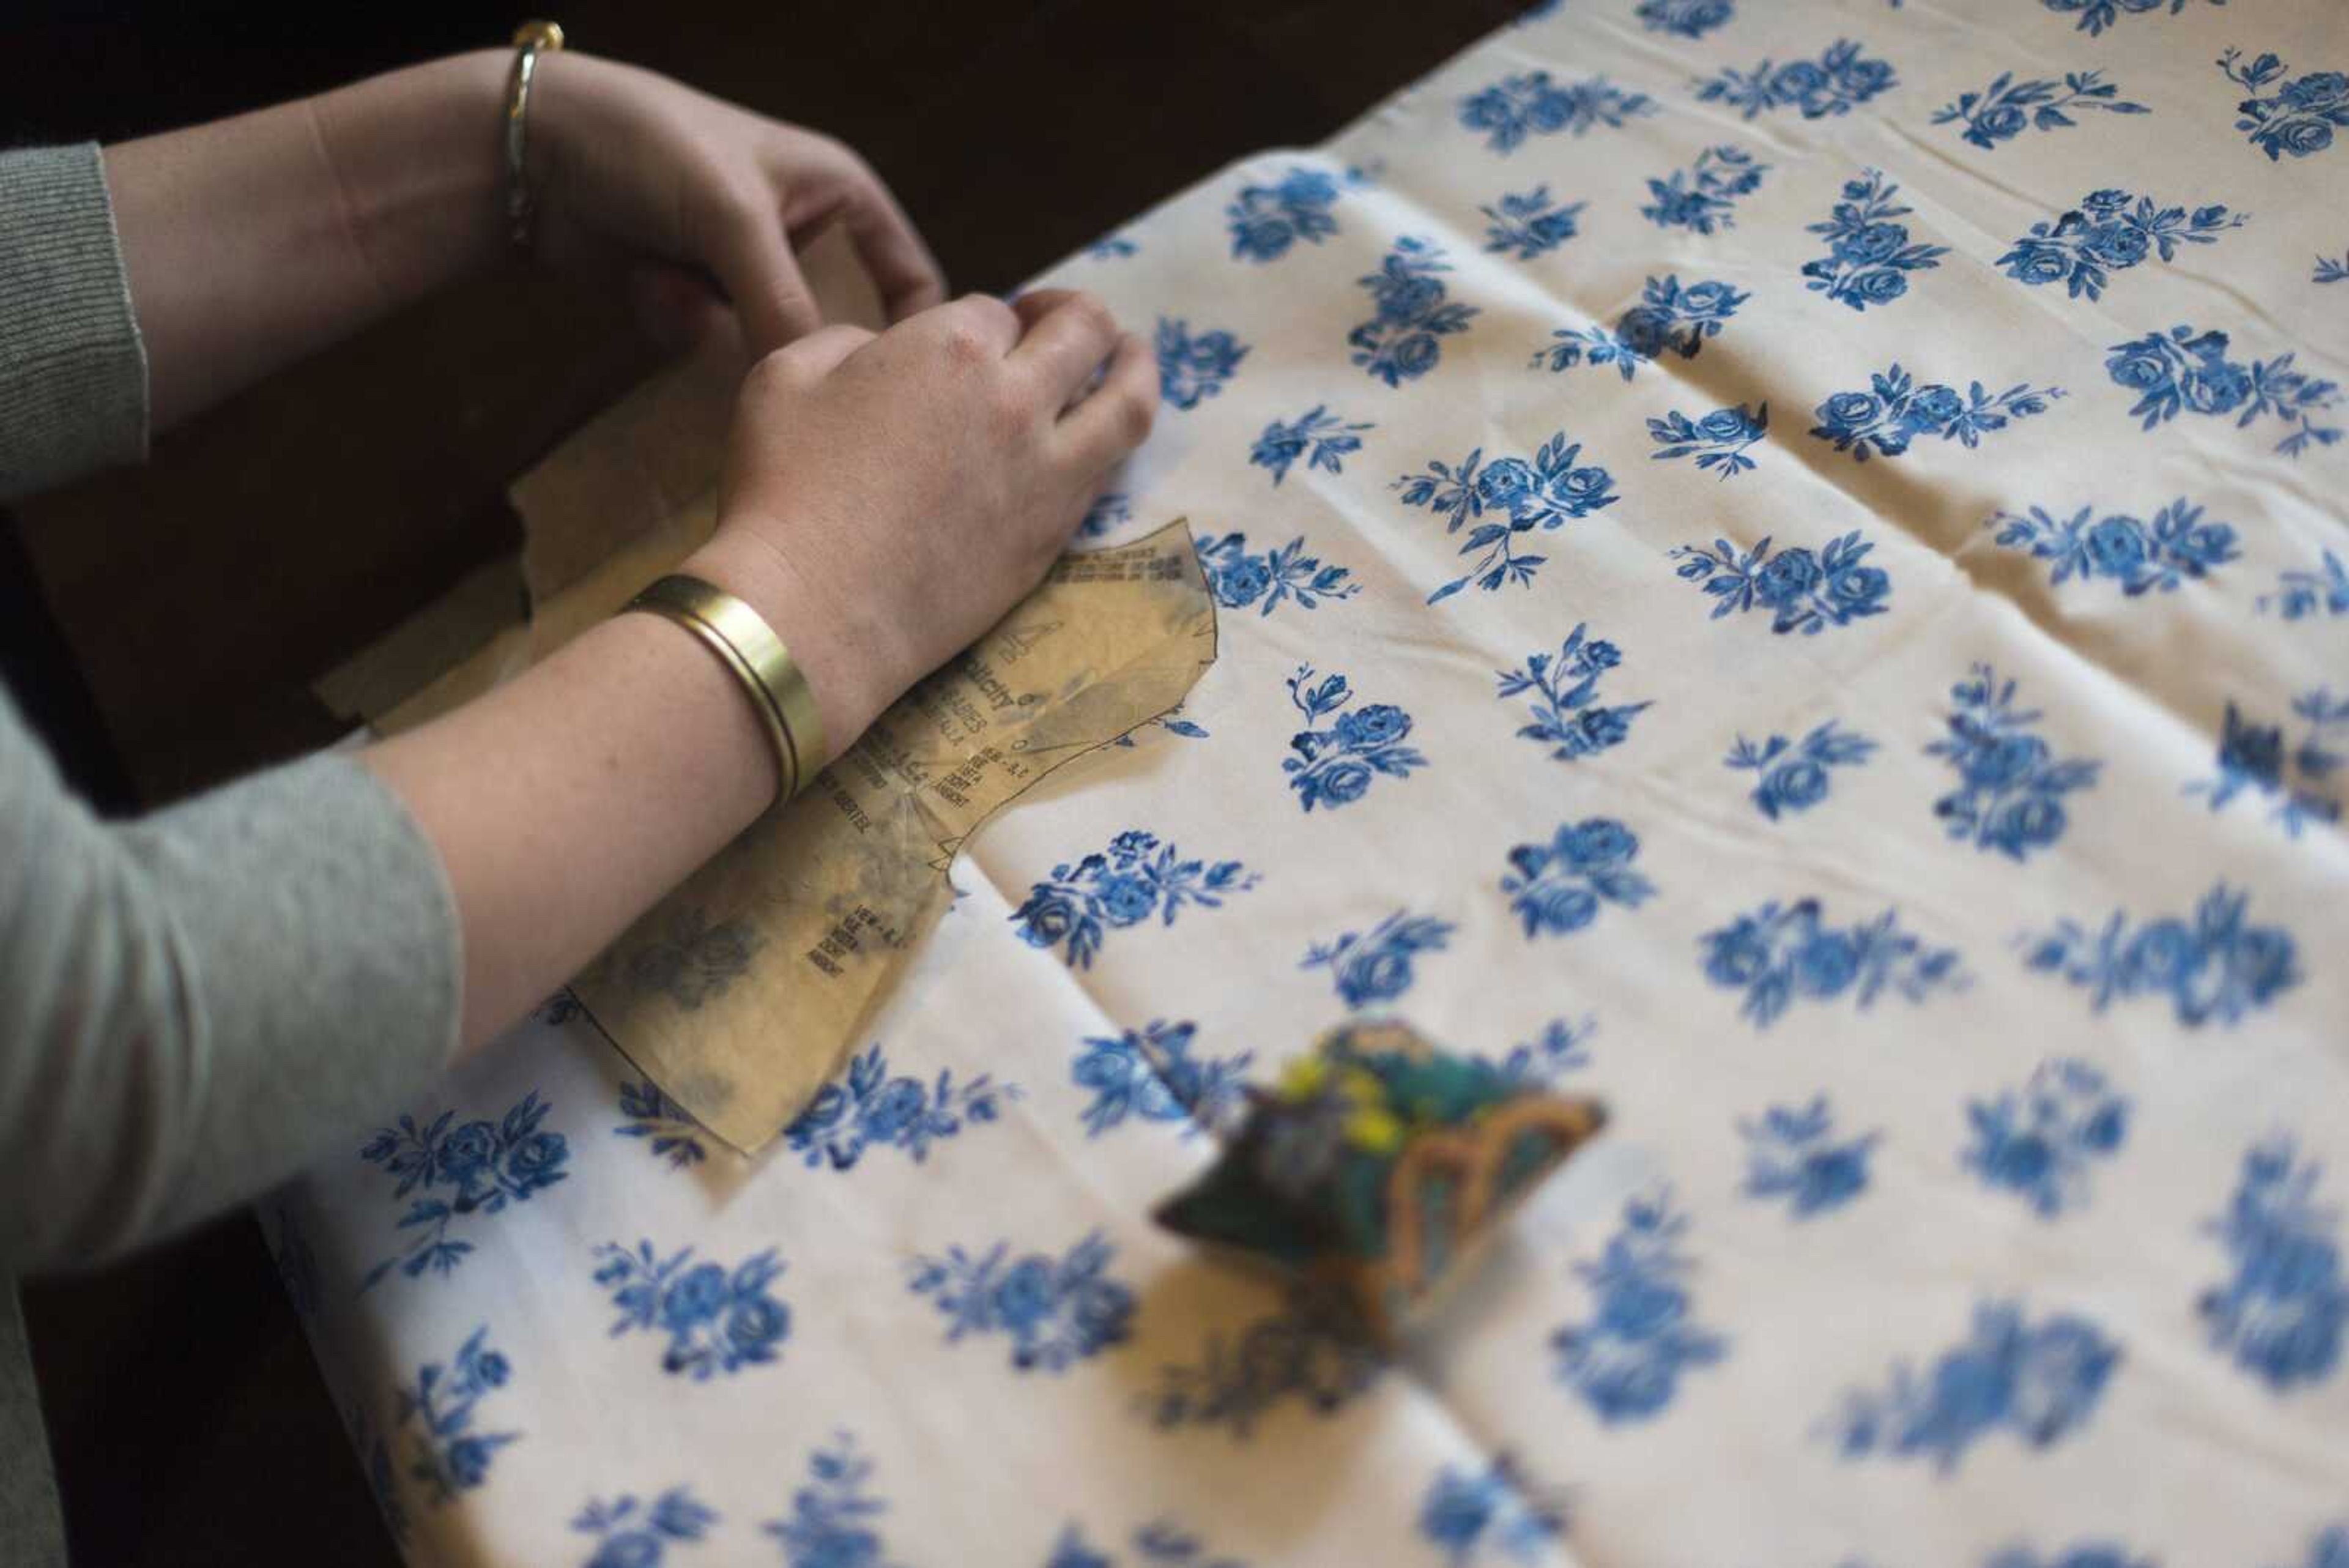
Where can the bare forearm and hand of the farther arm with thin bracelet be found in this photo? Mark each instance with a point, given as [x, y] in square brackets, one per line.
[264, 239]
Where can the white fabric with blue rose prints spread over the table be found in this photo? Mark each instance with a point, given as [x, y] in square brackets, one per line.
[1782, 568]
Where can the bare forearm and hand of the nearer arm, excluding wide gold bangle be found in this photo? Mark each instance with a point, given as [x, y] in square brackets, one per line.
[887, 500]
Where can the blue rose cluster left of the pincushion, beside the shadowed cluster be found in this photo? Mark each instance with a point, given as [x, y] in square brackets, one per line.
[1054, 1311]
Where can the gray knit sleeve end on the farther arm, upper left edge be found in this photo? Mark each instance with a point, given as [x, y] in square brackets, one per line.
[74, 387]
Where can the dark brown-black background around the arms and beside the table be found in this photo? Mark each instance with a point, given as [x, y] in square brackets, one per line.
[163, 626]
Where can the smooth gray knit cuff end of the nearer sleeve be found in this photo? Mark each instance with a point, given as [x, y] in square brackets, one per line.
[323, 953]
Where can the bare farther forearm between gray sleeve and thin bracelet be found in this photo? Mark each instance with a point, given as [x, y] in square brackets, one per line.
[257, 241]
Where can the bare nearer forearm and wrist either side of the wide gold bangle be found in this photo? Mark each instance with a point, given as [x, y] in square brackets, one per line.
[574, 798]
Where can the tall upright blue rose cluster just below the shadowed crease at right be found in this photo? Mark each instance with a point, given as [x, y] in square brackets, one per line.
[2010, 784]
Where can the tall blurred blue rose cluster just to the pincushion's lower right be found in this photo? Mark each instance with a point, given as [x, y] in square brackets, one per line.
[1627, 1360]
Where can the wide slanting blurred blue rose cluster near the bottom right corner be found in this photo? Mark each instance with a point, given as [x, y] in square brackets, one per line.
[2038, 1383]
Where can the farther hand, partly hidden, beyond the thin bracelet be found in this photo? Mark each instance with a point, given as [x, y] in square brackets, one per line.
[711, 194]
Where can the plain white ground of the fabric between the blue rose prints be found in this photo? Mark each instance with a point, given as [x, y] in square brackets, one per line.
[2183, 1454]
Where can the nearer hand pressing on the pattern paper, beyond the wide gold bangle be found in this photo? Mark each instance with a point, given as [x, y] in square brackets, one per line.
[891, 497]
